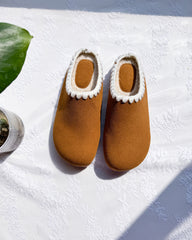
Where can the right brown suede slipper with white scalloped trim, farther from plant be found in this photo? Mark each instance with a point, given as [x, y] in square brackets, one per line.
[127, 130]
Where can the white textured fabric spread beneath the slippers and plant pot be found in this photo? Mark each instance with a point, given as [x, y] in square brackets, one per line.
[40, 198]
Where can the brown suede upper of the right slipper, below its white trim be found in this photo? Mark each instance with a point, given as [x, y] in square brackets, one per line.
[126, 134]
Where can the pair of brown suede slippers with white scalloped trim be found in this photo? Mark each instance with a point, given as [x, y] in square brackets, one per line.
[76, 130]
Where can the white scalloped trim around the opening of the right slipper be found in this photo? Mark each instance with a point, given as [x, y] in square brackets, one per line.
[127, 97]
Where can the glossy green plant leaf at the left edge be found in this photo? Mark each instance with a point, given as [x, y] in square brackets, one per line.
[14, 42]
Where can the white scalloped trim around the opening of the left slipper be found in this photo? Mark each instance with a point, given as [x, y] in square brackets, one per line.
[70, 91]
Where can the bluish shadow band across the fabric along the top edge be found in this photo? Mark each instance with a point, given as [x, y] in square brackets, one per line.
[145, 7]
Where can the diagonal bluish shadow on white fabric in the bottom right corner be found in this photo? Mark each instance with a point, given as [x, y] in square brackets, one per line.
[169, 209]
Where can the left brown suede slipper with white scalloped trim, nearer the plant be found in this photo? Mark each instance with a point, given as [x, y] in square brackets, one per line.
[76, 130]
